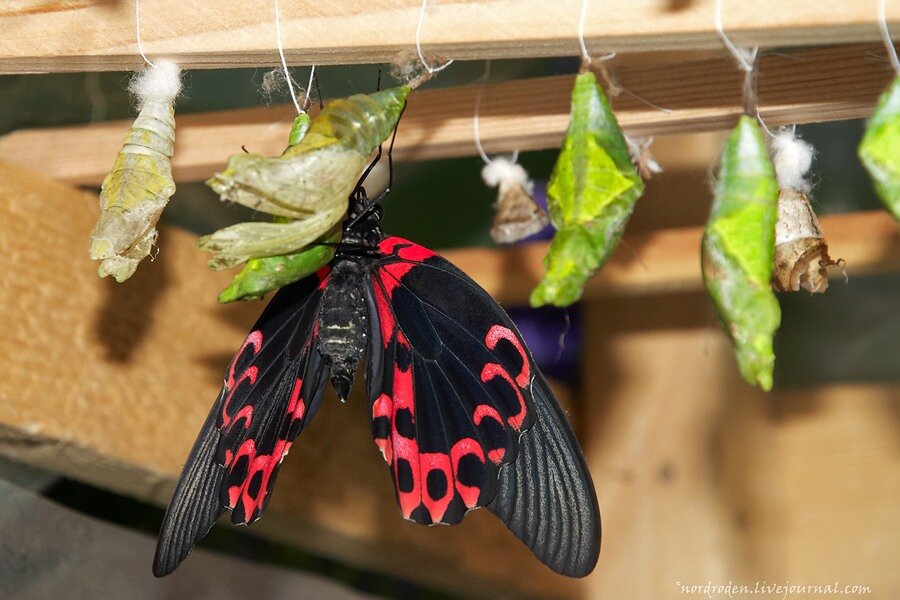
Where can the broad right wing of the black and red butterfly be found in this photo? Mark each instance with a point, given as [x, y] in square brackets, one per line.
[464, 417]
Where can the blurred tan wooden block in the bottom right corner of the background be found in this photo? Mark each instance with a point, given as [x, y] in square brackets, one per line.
[840, 476]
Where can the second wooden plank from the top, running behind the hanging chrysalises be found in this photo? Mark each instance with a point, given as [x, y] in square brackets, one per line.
[822, 84]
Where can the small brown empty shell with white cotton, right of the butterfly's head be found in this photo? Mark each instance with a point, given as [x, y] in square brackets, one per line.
[516, 214]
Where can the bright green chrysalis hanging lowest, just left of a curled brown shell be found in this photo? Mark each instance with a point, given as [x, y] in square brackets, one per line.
[738, 251]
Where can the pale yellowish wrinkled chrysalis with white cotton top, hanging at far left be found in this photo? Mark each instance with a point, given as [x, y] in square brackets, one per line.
[136, 191]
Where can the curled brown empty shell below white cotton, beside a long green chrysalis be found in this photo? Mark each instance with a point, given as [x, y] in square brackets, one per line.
[801, 254]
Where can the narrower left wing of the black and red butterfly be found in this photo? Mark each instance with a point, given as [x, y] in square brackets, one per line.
[272, 389]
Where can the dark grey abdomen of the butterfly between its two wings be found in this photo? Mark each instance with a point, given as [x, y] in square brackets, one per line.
[342, 323]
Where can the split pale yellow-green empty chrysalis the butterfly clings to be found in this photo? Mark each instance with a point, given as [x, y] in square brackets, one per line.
[309, 183]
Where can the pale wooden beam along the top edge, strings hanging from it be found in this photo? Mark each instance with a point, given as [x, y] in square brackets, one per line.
[38, 34]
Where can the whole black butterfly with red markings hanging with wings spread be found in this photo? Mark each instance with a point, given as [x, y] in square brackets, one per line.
[460, 411]
